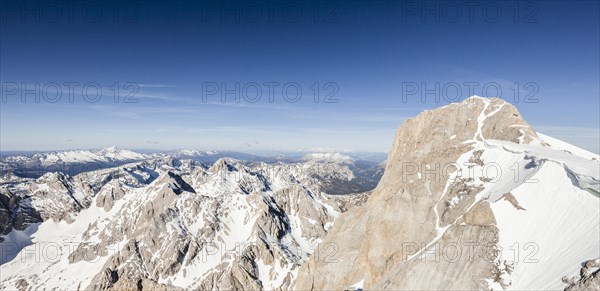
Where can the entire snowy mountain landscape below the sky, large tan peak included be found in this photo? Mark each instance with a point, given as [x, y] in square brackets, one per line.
[471, 198]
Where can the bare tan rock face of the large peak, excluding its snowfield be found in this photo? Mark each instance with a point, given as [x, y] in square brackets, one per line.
[428, 225]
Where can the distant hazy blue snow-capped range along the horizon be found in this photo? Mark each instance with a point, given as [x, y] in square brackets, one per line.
[368, 167]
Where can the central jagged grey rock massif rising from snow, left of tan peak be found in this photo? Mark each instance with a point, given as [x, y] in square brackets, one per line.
[173, 199]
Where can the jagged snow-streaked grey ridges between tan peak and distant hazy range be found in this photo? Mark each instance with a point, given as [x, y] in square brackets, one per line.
[166, 223]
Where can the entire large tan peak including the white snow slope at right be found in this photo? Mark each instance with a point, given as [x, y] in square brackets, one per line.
[471, 198]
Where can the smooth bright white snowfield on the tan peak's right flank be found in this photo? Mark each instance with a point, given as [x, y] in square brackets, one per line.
[560, 226]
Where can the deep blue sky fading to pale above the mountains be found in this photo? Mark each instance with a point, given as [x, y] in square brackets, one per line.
[363, 54]
